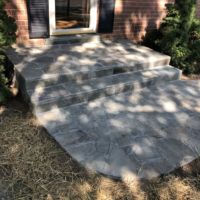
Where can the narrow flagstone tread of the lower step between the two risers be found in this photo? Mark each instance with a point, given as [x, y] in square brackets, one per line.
[43, 94]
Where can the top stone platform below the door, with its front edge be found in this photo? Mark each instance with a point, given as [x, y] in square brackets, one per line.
[50, 63]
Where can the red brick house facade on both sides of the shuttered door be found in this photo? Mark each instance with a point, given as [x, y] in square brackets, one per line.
[132, 18]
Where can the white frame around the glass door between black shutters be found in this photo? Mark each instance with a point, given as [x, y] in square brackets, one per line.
[92, 26]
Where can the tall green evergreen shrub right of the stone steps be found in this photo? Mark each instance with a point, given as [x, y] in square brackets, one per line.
[179, 36]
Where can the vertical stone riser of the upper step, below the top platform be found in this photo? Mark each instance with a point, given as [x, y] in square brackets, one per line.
[79, 74]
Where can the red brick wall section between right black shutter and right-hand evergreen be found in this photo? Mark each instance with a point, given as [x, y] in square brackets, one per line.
[134, 17]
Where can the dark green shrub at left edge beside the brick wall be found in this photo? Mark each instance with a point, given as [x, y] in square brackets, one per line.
[7, 37]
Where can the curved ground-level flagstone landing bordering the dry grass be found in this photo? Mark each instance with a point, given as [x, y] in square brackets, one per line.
[140, 135]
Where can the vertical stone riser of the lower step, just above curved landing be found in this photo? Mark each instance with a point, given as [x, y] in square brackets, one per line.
[108, 91]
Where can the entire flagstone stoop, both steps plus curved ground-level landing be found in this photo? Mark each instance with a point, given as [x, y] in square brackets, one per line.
[113, 106]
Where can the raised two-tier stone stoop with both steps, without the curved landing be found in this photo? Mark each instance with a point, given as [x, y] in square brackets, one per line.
[69, 74]
